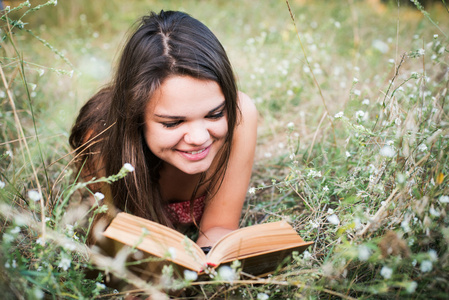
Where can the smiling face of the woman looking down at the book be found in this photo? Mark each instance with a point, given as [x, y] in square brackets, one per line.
[186, 123]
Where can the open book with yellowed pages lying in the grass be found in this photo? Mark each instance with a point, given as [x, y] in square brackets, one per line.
[260, 248]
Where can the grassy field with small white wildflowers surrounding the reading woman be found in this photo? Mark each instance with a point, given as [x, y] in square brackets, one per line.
[353, 143]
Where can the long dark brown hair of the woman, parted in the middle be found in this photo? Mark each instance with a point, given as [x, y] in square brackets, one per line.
[166, 44]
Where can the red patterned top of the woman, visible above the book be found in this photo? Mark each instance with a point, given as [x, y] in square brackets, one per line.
[179, 212]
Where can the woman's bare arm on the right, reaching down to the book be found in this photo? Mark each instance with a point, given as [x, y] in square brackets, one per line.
[223, 211]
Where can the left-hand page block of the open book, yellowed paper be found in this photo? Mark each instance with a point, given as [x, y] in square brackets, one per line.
[156, 239]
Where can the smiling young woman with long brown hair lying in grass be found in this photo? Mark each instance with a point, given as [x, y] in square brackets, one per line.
[174, 113]
